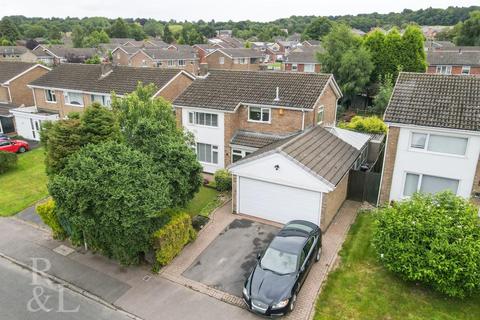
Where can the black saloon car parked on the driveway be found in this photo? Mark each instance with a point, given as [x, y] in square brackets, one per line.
[272, 287]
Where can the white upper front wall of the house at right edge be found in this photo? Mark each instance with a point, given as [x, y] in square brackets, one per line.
[422, 162]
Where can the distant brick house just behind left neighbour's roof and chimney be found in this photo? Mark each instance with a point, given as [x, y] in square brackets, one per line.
[166, 58]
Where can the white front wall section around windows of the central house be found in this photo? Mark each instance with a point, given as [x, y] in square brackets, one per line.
[209, 135]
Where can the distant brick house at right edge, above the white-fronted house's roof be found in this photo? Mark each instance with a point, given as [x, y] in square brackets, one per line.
[454, 60]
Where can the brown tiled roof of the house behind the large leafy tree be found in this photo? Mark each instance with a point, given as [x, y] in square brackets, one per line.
[84, 77]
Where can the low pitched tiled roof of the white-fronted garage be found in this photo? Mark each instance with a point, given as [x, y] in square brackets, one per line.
[317, 150]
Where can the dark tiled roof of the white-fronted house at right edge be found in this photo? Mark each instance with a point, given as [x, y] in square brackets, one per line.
[435, 100]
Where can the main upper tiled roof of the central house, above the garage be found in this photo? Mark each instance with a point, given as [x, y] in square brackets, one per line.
[225, 89]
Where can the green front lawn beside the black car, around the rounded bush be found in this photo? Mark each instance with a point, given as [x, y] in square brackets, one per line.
[361, 289]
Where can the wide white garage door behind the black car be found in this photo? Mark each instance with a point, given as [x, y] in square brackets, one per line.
[277, 202]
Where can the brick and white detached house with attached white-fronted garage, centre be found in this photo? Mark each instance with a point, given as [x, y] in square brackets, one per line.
[263, 126]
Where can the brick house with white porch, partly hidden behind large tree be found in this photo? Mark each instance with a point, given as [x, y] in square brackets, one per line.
[72, 87]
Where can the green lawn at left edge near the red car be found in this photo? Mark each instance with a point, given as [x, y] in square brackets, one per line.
[24, 185]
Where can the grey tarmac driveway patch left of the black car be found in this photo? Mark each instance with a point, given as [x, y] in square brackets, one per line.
[228, 260]
